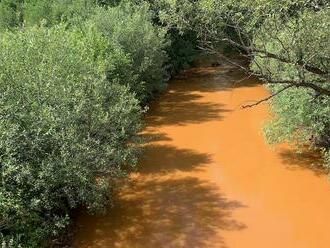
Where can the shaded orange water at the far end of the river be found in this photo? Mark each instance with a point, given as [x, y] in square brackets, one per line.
[183, 102]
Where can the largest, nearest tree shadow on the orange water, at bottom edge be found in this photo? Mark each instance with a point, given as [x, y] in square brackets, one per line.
[165, 212]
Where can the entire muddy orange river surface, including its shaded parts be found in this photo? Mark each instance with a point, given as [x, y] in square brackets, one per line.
[208, 178]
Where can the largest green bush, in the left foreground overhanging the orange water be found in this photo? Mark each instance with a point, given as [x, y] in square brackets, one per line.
[67, 129]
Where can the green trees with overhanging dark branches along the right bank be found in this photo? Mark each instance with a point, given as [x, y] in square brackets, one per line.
[287, 43]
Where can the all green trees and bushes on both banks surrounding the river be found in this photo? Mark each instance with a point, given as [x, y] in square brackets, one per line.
[77, 77]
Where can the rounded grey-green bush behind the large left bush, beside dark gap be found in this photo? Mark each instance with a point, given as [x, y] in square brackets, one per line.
[130, 28]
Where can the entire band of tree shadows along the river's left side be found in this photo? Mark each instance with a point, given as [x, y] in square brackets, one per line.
[164, 205]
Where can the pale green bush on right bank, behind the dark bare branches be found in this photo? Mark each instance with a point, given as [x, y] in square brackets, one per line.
[300, 114]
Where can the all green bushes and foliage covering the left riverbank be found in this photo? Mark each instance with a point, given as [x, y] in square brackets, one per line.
[73, 78]
